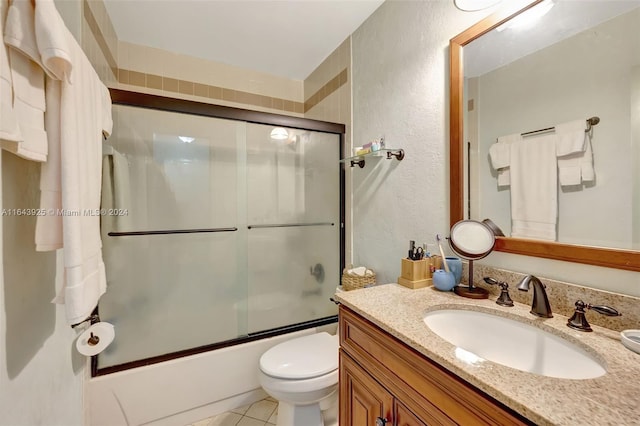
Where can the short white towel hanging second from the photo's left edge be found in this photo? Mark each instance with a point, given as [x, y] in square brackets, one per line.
[27, 78]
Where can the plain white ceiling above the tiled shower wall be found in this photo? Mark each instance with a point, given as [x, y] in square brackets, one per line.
[287, 38]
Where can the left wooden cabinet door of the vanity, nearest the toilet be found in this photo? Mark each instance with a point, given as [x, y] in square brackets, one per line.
[362, 399]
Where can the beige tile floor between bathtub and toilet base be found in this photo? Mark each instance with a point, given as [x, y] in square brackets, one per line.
[261, 413]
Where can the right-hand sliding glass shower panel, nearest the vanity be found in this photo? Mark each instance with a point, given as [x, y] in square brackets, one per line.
[293, 215]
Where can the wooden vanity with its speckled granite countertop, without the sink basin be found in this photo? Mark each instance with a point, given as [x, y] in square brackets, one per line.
[395, 370]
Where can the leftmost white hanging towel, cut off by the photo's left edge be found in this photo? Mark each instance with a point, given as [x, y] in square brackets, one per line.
[9, 129]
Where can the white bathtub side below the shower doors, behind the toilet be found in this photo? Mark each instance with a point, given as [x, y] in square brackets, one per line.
[183, 390]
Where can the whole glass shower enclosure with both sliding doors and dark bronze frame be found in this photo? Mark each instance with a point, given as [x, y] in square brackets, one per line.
[219, 226]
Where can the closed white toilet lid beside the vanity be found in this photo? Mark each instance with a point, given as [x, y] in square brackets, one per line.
[302, 358]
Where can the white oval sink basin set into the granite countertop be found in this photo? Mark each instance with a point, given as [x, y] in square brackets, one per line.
[481, 336]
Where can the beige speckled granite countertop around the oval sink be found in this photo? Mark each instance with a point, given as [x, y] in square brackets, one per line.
[612, 399]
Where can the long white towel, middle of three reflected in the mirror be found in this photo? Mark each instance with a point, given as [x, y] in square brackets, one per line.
[534, 193]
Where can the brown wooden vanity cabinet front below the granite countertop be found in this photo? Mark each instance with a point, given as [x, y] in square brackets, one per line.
[385, 382]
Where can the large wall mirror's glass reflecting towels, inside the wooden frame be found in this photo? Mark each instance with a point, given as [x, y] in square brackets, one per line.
[576, 62]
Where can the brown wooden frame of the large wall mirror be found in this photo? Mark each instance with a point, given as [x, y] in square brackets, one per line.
[598, 256]
